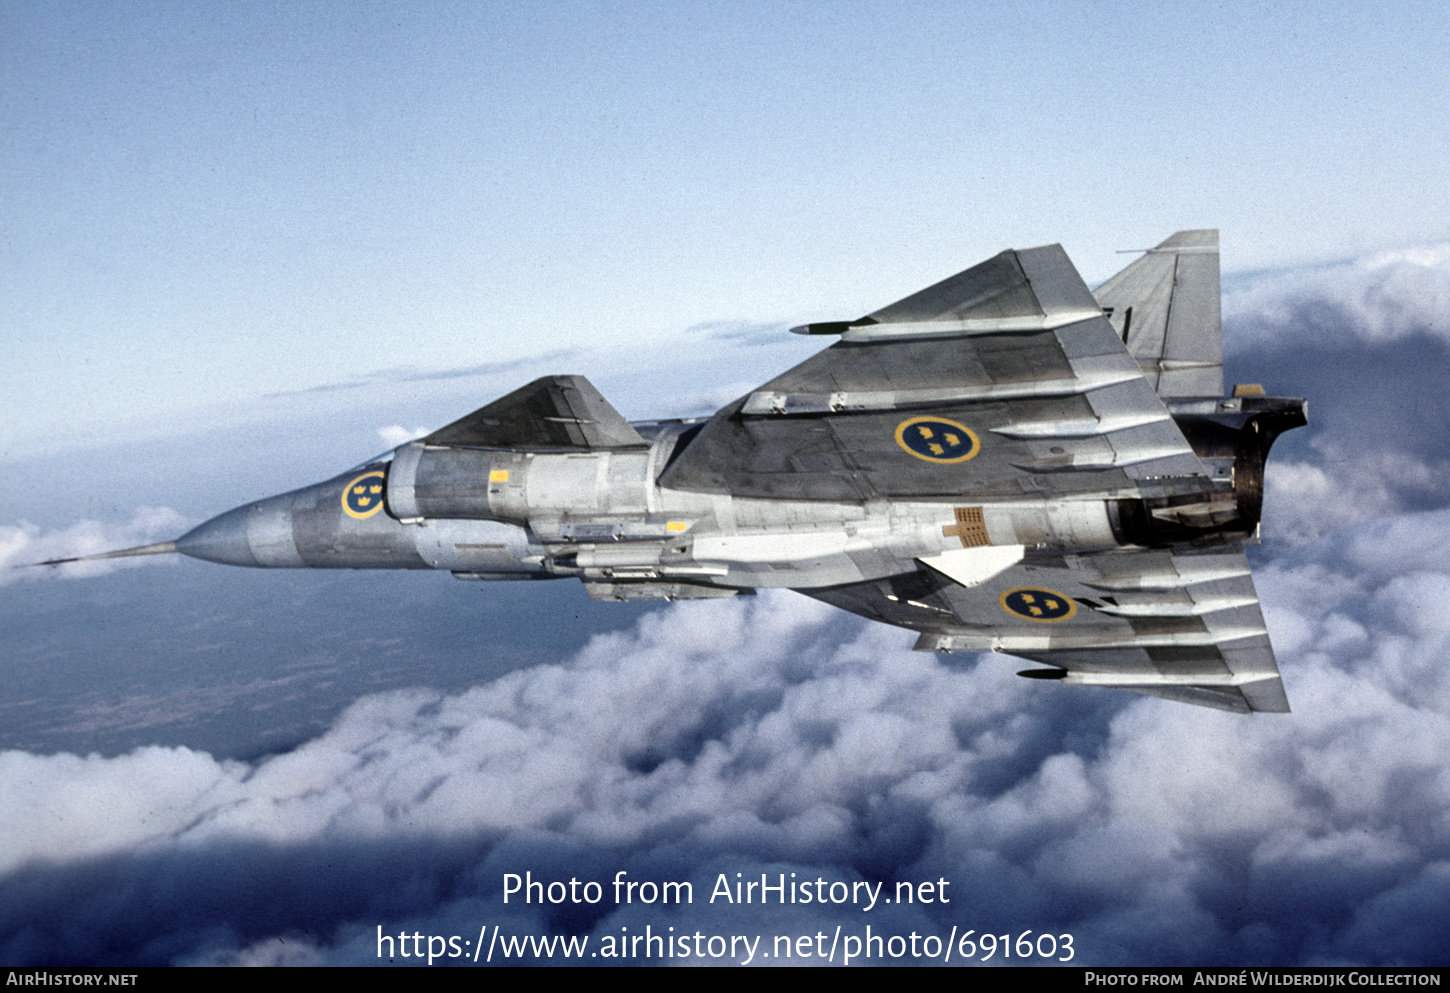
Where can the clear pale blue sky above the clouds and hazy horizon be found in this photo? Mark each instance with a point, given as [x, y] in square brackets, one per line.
[211, 204]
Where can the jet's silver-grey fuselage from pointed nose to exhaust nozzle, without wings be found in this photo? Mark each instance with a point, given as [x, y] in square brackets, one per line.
[604, 518]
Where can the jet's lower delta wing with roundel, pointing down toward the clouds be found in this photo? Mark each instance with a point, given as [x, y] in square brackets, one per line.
[1181, 627]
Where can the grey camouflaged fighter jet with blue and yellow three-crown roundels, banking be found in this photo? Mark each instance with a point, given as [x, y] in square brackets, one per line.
[1004, 462]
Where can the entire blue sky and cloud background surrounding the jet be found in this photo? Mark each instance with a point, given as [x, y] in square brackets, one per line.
[244, 244]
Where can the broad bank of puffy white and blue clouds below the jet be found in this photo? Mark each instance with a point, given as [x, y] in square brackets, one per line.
[779, 736]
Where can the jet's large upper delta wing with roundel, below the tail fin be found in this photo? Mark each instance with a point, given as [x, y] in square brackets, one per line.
[803, 436]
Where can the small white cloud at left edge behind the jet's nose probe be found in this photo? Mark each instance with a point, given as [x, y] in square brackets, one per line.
[27, 544]
